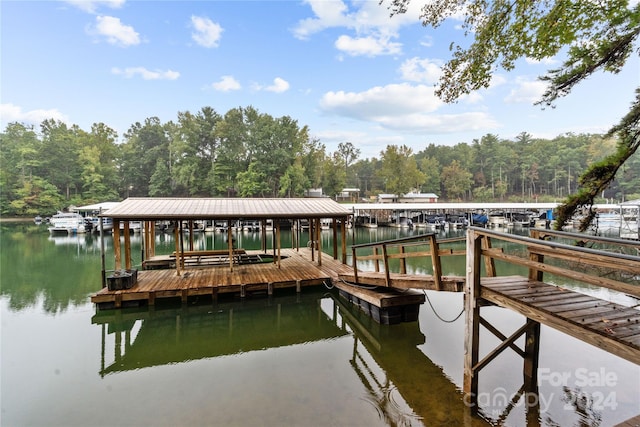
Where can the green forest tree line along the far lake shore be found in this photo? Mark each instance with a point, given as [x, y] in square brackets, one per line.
[246, 153]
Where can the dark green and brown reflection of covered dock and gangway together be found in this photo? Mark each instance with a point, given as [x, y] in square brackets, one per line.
[401, 384]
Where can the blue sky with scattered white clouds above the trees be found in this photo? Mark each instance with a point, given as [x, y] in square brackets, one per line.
[345, 69]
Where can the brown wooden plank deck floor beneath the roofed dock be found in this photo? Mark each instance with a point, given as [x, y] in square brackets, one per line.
[297, 270]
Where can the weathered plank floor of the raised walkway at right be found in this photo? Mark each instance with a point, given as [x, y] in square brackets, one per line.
[599, 322]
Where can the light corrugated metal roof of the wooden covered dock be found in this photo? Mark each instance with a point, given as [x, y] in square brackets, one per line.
[226, 208]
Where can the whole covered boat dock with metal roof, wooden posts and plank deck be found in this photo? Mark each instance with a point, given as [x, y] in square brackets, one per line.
[189, 273]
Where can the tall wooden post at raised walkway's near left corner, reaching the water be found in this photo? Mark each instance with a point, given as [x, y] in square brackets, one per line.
[472, 321]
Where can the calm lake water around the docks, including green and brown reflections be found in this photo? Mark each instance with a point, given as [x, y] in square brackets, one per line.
[288, 360]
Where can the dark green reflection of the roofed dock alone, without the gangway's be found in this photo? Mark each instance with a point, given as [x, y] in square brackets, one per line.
[153, 337]
